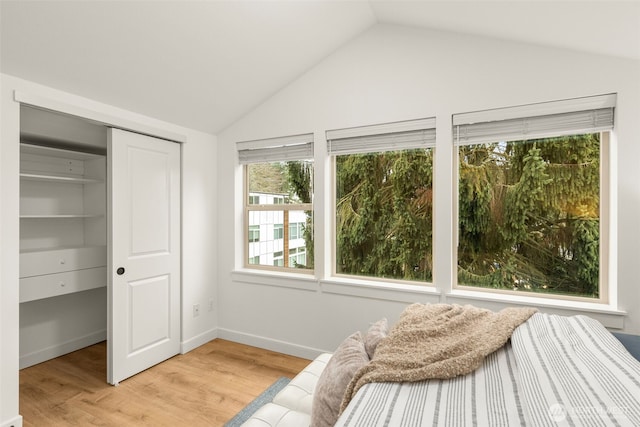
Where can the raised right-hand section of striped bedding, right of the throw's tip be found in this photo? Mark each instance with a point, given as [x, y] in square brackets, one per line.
[574, 372]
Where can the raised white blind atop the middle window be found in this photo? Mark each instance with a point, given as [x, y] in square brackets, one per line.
[394, 136]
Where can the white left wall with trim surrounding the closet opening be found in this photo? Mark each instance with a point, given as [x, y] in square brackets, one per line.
[199, 197]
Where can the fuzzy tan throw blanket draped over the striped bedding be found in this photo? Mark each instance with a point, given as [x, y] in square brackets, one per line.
[437, 341]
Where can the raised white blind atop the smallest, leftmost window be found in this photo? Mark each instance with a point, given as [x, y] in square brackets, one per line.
[295, 147]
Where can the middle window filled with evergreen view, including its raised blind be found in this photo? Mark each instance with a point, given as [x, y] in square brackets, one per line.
[383, 200]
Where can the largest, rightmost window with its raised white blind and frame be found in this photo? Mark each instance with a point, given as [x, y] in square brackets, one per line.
[532, 198]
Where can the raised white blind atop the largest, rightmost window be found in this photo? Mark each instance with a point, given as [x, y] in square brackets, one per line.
[549, 119]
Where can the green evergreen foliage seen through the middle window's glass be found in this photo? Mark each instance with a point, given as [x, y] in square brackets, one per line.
[384, 214]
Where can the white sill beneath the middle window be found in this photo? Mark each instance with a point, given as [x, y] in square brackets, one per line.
[380, 290]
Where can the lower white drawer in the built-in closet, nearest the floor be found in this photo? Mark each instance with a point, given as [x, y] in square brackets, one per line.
[51, 285]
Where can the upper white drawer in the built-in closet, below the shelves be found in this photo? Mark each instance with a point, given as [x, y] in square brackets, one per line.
[37, 263]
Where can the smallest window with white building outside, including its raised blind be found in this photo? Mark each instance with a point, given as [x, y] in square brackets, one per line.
[278, 197]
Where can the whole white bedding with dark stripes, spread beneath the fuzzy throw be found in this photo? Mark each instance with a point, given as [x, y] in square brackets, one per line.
[555, 371]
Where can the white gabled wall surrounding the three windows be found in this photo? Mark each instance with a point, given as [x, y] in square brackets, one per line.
[393, 73]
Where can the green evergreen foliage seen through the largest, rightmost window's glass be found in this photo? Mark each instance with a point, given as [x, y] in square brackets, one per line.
[529, 215]
